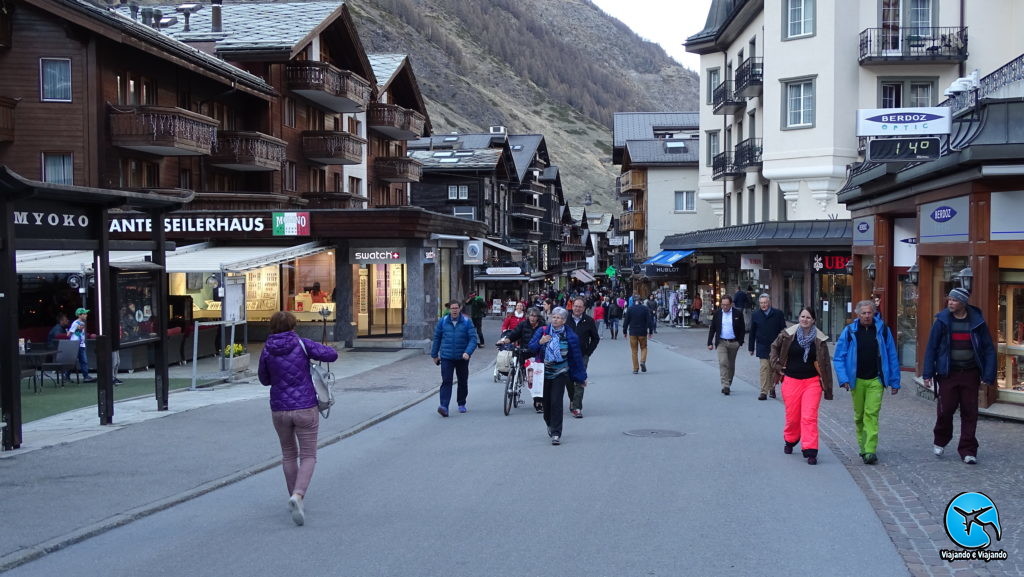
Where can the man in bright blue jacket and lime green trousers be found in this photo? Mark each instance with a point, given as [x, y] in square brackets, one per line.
[866, 363]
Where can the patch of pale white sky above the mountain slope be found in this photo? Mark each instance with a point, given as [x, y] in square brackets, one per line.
[668, 23]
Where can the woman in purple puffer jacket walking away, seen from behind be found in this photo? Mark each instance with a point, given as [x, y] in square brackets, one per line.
[284, 366]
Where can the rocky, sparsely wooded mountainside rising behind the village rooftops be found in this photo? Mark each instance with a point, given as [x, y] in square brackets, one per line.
[559, 68]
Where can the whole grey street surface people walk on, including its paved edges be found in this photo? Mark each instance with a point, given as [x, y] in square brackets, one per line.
[200, 492]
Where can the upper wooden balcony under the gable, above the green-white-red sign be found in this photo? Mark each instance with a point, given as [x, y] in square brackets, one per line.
[328, 87]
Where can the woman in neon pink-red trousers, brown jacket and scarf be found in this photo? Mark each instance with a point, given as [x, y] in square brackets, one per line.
[800, 355]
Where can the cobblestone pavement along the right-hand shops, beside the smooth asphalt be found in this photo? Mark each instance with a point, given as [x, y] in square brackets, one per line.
[910, 488]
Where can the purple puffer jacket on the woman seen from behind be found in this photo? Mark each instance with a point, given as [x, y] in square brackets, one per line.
[285, 368]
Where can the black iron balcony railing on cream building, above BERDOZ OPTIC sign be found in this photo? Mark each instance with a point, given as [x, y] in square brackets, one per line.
[917, 45]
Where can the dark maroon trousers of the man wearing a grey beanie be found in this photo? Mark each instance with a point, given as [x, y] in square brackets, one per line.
[959, 389]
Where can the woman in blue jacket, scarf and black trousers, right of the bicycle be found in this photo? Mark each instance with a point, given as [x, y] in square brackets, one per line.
[560, 349]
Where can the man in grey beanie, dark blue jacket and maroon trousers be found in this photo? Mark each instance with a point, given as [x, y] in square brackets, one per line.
[959, 360]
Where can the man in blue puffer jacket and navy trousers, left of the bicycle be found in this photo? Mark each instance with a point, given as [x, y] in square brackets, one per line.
[455, 342]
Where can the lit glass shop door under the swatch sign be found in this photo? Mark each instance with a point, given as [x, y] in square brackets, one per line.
[385, 305]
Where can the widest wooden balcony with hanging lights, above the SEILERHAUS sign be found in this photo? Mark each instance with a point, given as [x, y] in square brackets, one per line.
[163, 132]
